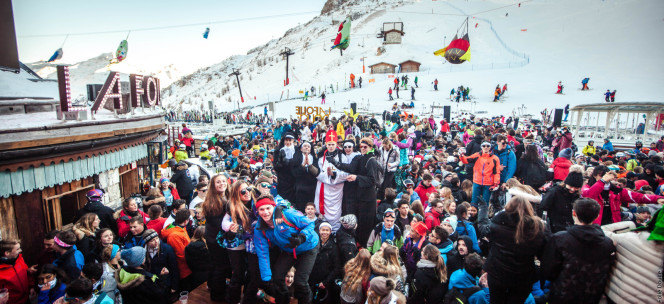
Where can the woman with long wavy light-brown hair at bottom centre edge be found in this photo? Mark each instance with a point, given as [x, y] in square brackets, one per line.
[356, 278]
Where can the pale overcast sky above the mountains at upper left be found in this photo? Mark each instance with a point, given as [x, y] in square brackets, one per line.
[182, 46]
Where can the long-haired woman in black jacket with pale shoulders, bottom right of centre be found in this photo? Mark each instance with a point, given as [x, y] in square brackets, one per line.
[430, 281]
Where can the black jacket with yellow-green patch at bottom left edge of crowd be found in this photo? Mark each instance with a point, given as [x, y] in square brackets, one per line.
[139, 286]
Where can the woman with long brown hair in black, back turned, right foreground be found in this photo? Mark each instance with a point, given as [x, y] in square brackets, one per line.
[517, 236]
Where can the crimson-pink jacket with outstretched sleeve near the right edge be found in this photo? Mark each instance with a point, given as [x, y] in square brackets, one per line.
[625, 196]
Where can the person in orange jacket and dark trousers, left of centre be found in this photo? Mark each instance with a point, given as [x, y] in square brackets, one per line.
[176, 236]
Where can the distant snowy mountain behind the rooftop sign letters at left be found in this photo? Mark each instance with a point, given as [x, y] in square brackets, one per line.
[95, 71]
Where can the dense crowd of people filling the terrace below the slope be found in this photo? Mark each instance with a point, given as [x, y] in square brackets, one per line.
[346, 210]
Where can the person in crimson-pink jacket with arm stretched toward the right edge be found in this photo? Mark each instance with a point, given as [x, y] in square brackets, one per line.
[603, 188]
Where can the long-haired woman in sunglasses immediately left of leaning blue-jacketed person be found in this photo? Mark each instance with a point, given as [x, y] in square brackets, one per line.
[237, 224]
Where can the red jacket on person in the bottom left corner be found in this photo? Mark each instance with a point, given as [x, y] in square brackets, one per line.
[14, 277]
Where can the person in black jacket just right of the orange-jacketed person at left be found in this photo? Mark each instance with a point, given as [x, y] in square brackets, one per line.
[198, 257]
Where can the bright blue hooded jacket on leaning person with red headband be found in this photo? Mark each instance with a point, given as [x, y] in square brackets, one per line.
[265, 236]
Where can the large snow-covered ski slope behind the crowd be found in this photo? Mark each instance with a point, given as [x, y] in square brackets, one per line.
[529, 46]
